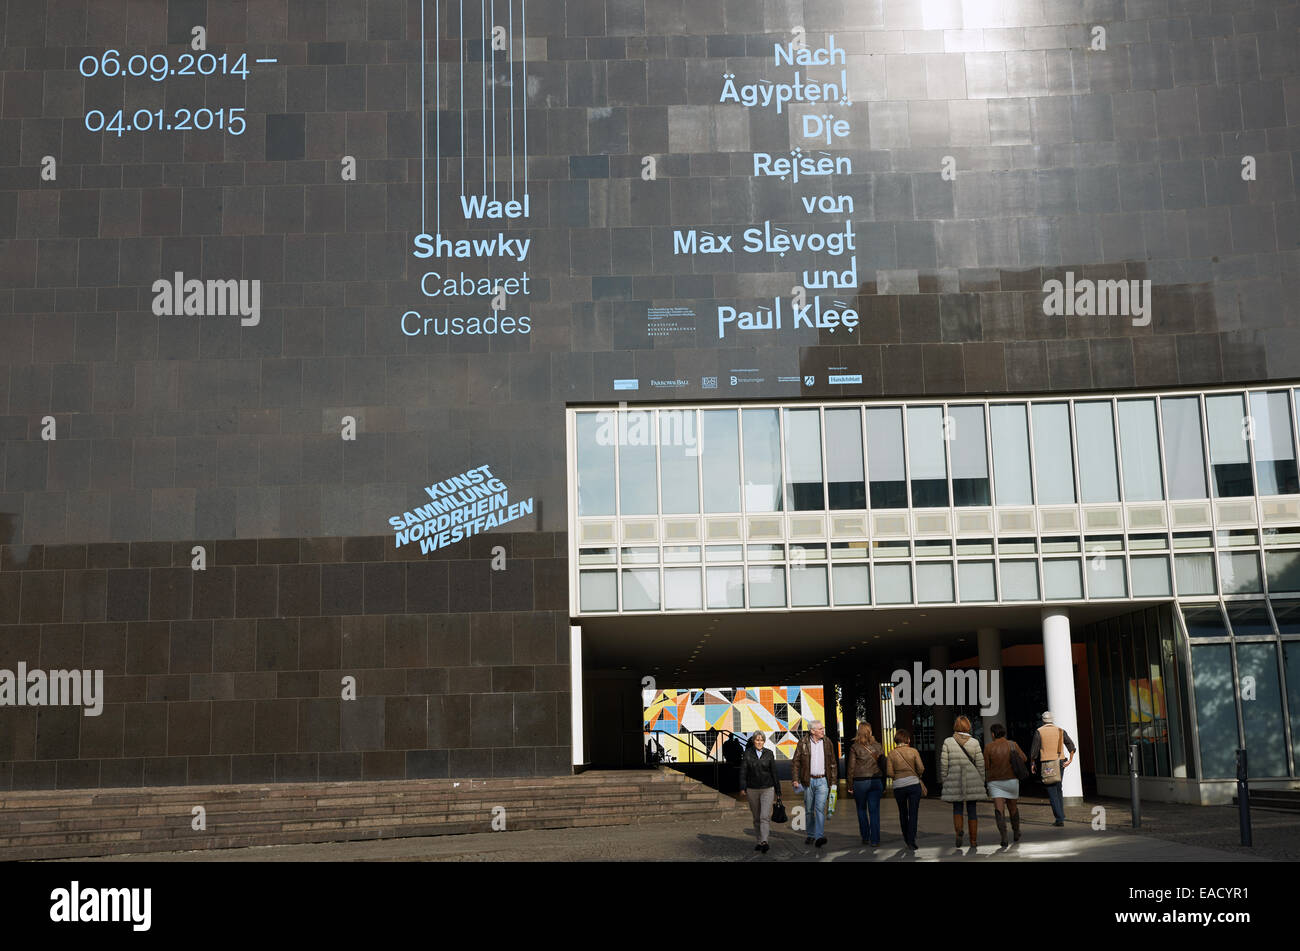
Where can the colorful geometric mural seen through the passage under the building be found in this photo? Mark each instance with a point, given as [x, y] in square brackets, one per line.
[690, 723]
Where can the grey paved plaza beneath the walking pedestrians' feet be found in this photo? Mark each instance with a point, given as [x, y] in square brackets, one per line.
[1169, 833]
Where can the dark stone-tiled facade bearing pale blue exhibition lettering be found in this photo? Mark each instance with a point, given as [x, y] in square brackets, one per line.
[180, 432]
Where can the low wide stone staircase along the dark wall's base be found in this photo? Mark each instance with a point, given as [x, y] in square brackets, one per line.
[59, 824]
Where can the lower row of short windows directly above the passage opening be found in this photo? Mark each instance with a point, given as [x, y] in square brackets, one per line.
[887, 583]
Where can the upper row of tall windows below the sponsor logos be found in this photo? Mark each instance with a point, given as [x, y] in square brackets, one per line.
[834, 458]
